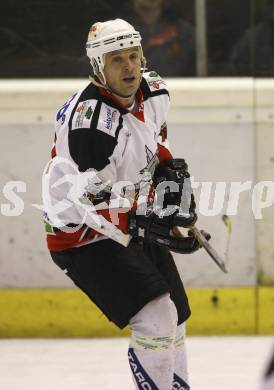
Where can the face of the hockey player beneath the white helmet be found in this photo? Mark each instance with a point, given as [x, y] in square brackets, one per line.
[123, 71]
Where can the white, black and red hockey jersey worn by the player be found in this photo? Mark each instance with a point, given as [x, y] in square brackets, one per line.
[94, 133]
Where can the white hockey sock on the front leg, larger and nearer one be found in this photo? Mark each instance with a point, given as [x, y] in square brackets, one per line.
[151, 350]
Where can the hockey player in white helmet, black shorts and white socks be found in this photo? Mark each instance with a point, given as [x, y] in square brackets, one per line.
[115, 129]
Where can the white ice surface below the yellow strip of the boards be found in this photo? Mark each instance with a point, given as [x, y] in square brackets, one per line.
[215, 363]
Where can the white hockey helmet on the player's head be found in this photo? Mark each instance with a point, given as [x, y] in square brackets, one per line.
[105, 37]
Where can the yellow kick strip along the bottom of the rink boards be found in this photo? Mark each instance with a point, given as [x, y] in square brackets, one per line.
[69, 313]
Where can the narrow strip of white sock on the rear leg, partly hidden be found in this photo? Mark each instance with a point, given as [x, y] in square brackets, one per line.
[180, 380]
